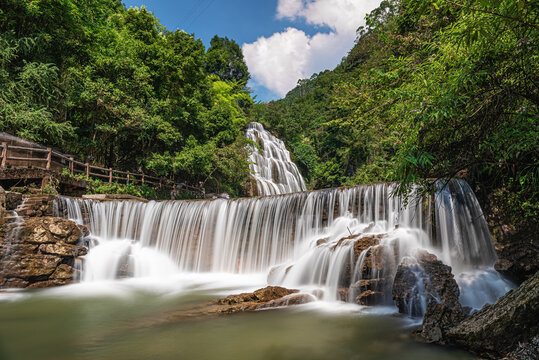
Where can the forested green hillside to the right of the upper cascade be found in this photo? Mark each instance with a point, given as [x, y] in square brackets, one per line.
[432, 88]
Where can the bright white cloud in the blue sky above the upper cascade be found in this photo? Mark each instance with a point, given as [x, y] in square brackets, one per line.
[279, 61]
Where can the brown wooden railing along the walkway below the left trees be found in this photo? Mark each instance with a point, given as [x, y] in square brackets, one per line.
[49, 159]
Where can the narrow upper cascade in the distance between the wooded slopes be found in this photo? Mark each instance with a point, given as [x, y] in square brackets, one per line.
[274, 171]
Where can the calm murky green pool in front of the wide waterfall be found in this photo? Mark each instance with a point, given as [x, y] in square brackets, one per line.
[140, 327]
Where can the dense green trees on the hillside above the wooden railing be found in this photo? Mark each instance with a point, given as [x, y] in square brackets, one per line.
[113, 86]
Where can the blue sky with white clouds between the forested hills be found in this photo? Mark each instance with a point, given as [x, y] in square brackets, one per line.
[283, 41]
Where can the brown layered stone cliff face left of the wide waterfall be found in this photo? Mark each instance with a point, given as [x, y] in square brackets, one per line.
[38, 251]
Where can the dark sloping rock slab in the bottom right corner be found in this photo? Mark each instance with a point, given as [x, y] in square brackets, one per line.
[496, 330]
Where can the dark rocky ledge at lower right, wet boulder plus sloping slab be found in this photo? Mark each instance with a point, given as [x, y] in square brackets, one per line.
[507, 329]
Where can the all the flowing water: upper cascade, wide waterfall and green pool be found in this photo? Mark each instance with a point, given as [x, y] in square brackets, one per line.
[148, 262]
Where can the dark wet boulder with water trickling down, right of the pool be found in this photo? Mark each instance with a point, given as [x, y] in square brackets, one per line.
[425, 284]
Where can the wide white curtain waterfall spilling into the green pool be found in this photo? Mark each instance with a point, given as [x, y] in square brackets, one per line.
[303, 240]
